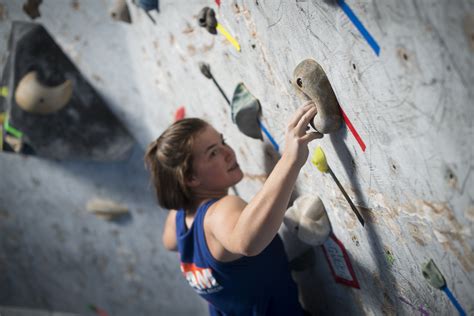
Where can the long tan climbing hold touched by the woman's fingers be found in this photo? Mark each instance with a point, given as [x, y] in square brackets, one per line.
[312, 85]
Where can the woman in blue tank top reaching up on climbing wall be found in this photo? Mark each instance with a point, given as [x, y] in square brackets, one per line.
[230, 251]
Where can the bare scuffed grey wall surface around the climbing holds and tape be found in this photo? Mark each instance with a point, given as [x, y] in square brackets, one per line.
[412, 106]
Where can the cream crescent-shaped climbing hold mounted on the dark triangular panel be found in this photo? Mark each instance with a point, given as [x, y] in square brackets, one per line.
[34, 97]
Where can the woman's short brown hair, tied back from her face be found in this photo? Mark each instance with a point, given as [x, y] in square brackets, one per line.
[169, 160]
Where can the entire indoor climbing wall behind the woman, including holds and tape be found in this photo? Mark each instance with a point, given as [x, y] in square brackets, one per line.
[392, 178]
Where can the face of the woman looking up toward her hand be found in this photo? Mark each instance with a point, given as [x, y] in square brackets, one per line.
[215, 167]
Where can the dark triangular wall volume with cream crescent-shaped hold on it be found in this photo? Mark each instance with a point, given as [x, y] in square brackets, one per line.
[88, 128]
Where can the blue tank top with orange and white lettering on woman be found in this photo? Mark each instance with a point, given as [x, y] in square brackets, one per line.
[257, 285]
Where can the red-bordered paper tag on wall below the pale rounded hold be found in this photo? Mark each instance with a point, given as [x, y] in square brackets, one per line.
[339, 262]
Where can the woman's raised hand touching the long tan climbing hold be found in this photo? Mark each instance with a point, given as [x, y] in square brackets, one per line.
[297, 137]
